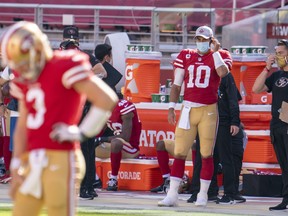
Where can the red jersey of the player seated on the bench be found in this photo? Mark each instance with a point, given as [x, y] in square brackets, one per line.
[115, 121]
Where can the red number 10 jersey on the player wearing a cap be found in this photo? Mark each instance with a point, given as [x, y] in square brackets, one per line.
[201, 80]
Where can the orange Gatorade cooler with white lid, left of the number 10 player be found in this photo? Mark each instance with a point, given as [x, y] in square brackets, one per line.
[142, 75]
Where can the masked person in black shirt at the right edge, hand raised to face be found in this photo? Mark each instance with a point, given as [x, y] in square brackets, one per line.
[277, 83]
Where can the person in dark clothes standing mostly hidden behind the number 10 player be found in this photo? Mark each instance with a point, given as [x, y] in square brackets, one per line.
[228, 129]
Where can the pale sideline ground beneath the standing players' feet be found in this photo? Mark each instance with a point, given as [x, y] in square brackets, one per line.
[145, 203]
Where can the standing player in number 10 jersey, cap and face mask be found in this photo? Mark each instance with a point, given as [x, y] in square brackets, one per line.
[200, 70]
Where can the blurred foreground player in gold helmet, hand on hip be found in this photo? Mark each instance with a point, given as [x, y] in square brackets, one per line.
[51, 87]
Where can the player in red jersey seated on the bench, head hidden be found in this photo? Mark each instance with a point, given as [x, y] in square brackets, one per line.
[125, 124]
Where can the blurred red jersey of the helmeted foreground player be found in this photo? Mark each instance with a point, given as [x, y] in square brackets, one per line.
[51, 99]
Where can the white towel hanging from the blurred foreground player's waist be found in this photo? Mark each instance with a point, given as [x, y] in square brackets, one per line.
[32, 184]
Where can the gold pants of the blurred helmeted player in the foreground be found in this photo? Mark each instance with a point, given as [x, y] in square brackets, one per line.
[60, 183]
